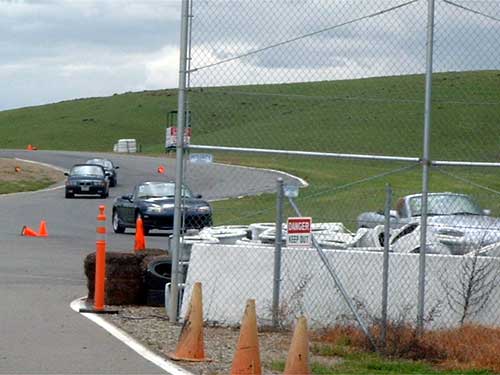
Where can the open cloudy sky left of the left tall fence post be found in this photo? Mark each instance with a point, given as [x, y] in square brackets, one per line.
[52, 50]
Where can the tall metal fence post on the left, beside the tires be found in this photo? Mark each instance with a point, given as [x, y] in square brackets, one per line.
[179, 156]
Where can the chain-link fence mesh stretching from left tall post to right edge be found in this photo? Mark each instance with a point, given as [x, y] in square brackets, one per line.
[331, 98]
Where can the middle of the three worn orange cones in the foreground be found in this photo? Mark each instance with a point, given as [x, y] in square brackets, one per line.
[247, 357]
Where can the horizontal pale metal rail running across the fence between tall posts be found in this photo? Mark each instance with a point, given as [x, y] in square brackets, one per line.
[342, 156]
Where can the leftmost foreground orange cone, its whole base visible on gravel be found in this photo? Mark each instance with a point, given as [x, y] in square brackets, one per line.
[191, 345]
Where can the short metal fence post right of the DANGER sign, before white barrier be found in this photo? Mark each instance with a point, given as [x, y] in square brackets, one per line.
[385, 267]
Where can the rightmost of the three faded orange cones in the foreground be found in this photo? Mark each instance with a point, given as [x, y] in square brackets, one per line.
[297, 362]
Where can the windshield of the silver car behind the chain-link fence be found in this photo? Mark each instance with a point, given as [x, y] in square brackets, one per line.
[445, 204]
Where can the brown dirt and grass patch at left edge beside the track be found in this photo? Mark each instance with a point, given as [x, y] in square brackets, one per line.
[23, 175]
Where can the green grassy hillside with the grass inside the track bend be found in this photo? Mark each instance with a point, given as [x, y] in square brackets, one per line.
[382, 116]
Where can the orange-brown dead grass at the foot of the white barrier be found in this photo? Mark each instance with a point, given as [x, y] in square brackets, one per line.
[470, 347]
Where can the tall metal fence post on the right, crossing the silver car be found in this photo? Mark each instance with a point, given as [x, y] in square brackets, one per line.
[426, 164]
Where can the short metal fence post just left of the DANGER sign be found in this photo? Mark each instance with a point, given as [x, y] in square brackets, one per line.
[277, 252]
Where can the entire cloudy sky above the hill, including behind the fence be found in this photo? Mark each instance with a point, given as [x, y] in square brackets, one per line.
[53, 50]
